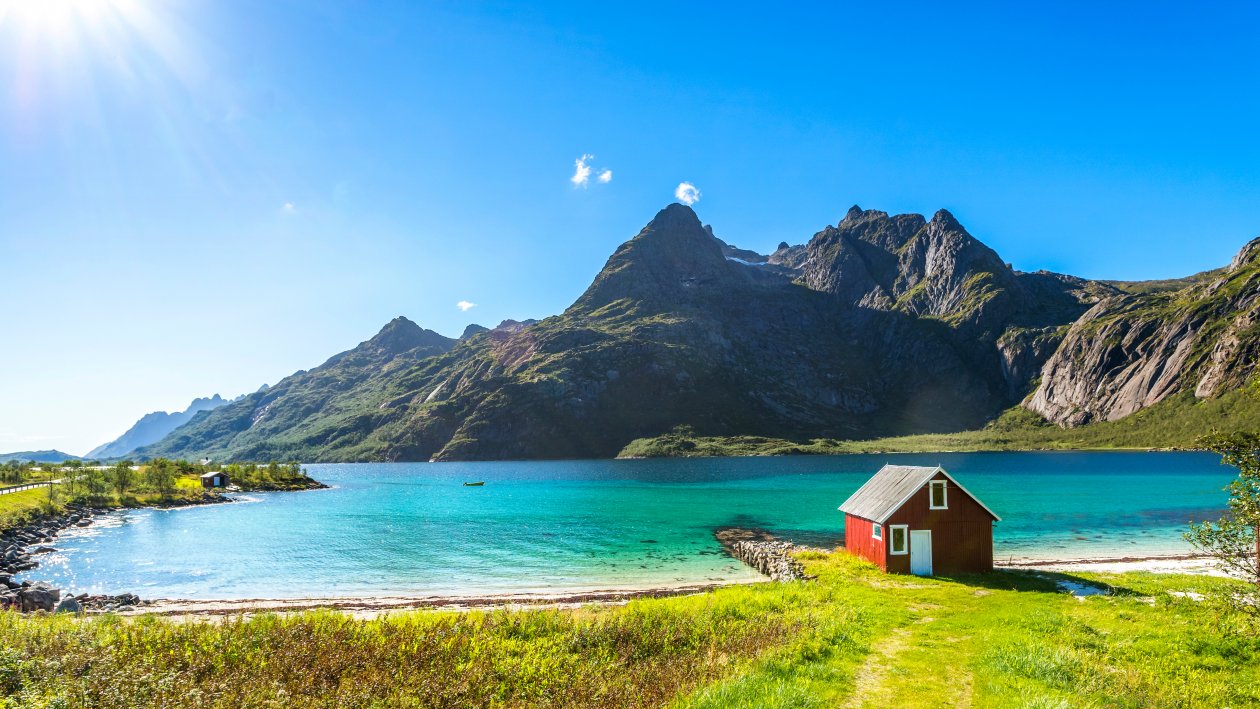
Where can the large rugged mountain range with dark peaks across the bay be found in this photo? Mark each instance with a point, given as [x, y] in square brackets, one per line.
[879, 326]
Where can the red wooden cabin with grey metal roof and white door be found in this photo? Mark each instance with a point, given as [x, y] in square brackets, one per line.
[914, 519]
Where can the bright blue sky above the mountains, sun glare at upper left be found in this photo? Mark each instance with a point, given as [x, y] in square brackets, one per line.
[203, 197]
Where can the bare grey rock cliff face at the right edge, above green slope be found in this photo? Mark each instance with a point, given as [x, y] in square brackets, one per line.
[1131, 352]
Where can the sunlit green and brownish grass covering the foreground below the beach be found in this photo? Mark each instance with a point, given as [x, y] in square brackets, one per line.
[855, 637]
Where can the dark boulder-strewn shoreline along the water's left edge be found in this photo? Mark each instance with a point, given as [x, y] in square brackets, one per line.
[22, 546]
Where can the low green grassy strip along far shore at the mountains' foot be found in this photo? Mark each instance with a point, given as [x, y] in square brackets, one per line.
[1177, 423]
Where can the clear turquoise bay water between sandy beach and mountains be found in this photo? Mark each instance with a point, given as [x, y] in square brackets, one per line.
[415, 530]
